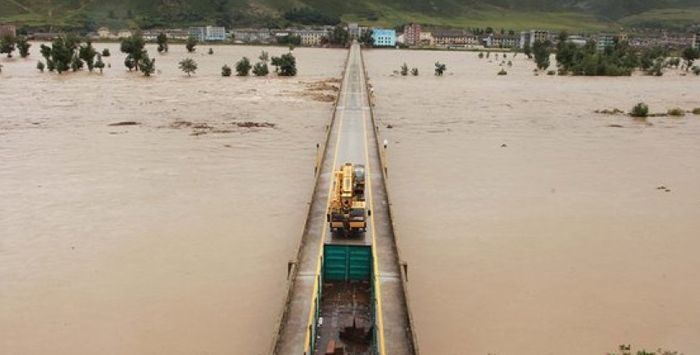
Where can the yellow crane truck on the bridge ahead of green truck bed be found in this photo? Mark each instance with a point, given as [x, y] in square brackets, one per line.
[347, 210]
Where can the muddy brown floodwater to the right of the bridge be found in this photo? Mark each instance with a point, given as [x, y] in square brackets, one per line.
[532, 225]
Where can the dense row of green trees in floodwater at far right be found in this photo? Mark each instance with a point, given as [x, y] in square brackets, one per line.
[619, 59]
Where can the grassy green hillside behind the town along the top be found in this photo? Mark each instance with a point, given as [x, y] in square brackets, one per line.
[585, 15]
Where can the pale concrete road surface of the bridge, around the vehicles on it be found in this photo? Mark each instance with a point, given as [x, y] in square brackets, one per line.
[352, 139]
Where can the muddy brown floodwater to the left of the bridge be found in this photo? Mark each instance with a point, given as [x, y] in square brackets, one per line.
[154, 215]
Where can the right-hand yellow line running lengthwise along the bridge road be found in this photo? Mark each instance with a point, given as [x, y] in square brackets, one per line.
[377, 275]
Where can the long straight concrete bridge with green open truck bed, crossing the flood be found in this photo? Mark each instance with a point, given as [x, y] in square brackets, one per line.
[360, 307]
